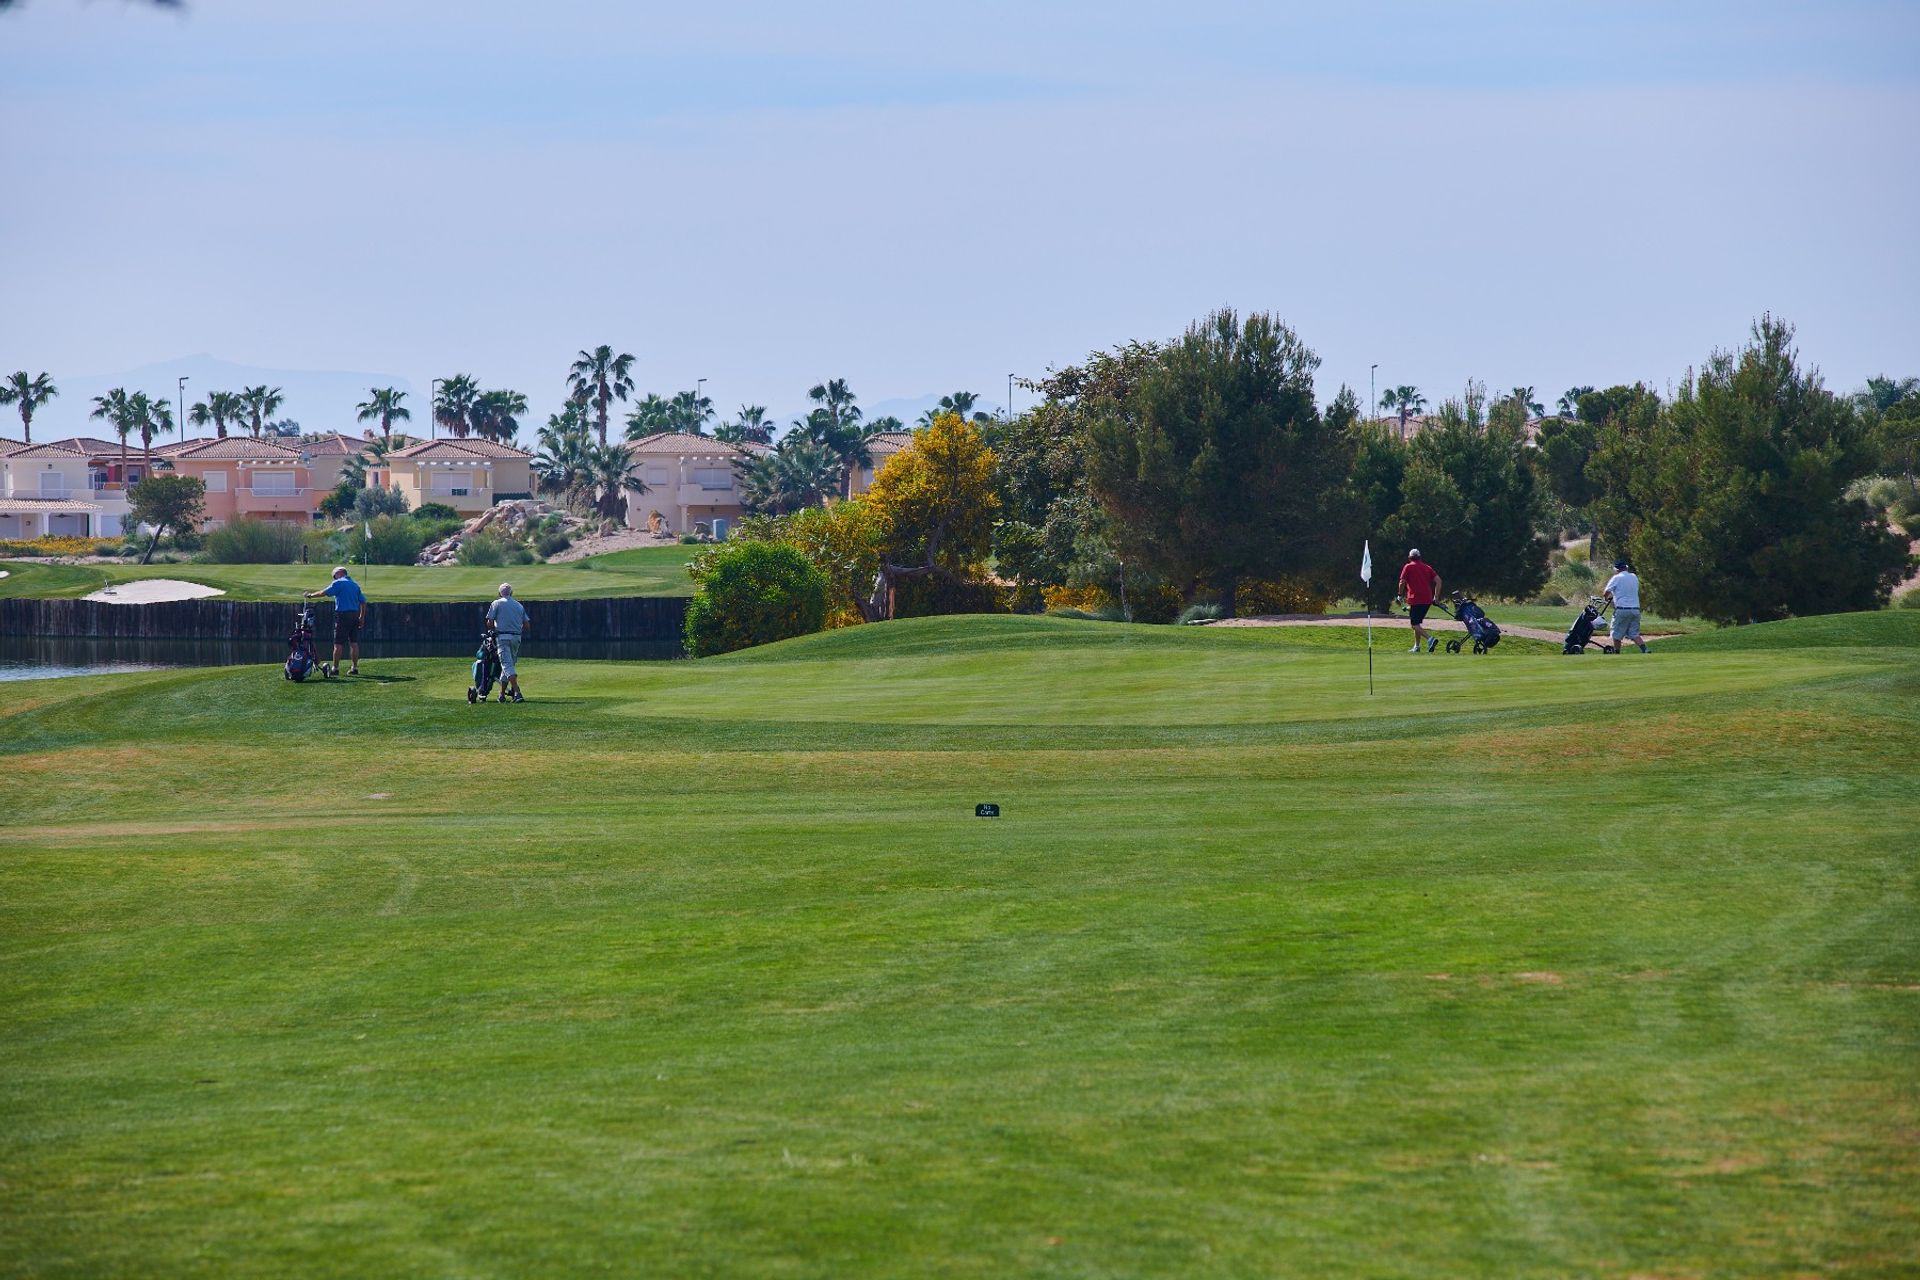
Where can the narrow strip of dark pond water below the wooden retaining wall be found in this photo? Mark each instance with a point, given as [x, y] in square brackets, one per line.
[47, 659]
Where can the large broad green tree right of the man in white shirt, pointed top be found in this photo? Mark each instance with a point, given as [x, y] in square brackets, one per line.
[1739, 494]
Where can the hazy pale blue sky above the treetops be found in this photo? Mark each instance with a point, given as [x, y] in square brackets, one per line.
[932, 197]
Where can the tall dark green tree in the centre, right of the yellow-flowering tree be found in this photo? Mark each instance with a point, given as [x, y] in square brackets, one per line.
[1220, 467]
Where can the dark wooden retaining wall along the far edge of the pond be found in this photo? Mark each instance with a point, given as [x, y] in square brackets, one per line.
[623, 619]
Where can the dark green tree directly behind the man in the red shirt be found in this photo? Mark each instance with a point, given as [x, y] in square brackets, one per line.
[1464, 494]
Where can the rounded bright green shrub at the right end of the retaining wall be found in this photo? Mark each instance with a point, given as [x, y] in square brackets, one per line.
[756, 594]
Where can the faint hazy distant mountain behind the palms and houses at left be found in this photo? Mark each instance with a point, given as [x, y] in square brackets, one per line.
[318, 400]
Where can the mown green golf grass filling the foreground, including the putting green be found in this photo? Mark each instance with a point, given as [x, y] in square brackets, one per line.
[1522, 966]
